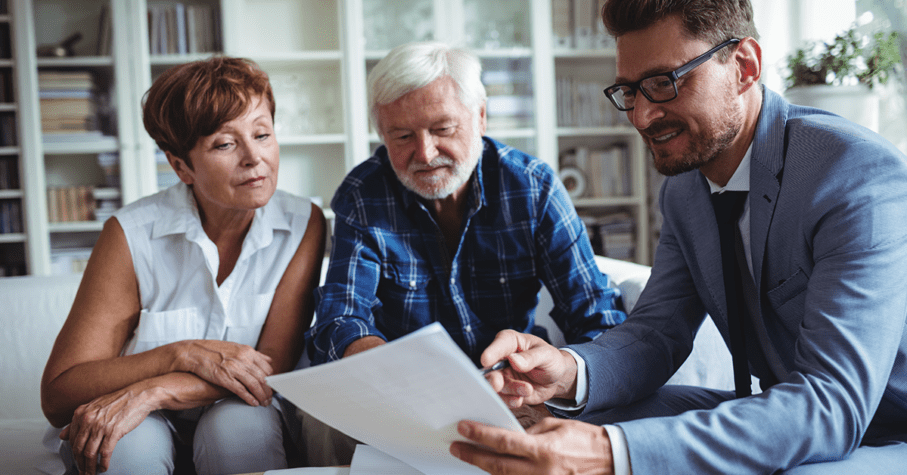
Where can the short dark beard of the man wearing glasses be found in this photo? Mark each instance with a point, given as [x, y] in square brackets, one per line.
[702, 148]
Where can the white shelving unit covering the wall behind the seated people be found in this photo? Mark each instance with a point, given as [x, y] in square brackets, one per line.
[317, 54]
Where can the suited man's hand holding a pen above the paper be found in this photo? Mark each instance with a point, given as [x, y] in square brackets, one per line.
[537, 372]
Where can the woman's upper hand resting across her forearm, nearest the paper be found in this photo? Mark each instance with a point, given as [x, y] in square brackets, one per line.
[238, 368]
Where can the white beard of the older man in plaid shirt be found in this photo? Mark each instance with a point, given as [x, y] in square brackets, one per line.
[442, 185]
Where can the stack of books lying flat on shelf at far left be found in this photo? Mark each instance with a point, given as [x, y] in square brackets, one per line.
[68, 103]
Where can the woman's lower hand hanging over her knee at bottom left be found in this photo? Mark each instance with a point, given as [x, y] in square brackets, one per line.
[98, 425]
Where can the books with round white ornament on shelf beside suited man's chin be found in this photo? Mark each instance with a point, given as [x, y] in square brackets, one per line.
[596, 173]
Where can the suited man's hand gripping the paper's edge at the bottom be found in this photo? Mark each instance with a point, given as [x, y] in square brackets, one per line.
[553, 446]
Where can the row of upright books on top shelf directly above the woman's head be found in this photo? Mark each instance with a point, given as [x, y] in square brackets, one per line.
[179, 28]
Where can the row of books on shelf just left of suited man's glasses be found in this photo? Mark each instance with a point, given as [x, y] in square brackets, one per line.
[582, 103]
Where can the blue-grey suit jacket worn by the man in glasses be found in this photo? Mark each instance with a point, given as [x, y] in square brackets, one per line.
[828, 220]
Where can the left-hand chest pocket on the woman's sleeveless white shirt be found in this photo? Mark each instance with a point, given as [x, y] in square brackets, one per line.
[161, 328]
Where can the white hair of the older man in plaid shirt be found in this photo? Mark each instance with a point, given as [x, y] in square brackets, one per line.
[415, 65]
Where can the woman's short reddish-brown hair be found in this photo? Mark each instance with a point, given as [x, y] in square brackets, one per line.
[193, 100]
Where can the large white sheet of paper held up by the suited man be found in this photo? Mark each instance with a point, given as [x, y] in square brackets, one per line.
[404, 398]
